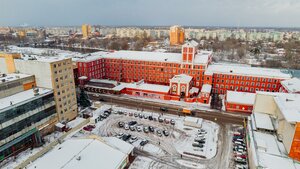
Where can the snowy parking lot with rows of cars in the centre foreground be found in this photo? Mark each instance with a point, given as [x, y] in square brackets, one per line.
[161, 139]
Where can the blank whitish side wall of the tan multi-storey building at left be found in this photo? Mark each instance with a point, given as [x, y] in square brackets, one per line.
[41, 70]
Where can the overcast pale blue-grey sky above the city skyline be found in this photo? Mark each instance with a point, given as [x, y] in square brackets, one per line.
[278, 13]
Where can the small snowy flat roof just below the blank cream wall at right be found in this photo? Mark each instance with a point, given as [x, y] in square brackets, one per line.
[263, 121]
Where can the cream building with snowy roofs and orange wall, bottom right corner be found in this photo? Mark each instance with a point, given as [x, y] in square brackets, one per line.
[273, 131]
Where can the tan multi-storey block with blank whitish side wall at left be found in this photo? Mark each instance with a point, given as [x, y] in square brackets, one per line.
[57, 74]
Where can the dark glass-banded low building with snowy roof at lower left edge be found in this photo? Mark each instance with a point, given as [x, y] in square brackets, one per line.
[25, 117]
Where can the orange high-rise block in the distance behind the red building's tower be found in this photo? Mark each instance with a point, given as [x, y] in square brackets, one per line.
[176, 35]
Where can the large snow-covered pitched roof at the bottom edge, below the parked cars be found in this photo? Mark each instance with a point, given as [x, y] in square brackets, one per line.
[80, 153]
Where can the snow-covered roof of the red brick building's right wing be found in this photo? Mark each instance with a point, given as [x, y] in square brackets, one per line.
[231, 69]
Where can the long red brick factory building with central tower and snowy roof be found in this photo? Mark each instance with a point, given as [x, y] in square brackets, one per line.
[192, 66]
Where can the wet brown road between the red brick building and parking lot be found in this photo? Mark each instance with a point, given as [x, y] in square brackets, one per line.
[218, 117]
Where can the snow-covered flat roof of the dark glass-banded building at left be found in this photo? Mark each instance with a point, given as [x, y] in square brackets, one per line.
[21, 97]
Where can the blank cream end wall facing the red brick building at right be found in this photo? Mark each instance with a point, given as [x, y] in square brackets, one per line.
[264, 104]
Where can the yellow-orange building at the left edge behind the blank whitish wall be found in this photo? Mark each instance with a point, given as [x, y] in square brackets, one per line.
[7, 64]
